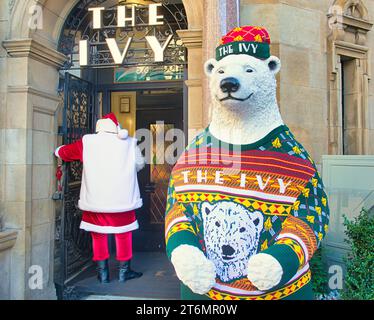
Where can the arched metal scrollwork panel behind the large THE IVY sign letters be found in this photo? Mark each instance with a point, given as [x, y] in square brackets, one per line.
[79, 27]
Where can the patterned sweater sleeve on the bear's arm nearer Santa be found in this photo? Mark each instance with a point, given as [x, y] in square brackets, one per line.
[179, 229]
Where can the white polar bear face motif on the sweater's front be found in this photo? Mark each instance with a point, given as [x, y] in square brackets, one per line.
[231, 235]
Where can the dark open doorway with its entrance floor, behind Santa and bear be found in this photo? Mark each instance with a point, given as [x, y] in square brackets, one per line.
[157, 111]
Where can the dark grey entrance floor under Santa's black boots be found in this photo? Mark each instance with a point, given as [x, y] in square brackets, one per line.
[158, 282]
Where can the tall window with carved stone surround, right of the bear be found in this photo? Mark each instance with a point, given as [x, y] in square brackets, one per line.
[350, 72]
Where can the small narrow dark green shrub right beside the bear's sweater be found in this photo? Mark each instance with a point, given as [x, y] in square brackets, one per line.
[319, 274]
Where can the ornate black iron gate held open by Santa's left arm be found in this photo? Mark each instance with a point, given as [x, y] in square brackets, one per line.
[73, 246]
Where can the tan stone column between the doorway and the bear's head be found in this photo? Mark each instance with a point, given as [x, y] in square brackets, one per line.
[208, 20]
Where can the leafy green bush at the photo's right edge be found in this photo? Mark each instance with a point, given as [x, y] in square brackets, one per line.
[359, 279]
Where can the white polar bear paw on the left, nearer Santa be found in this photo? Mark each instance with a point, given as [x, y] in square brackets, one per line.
[194, 269]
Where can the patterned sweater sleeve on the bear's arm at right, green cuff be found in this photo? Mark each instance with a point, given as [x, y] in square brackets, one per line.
[303, 230]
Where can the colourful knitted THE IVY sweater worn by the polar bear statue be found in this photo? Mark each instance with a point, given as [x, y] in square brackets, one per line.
[234, 201]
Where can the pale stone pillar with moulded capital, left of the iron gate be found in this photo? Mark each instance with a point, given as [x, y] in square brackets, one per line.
[30, 138]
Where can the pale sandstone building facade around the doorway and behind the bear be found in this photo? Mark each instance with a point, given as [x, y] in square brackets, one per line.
[325, 95]
